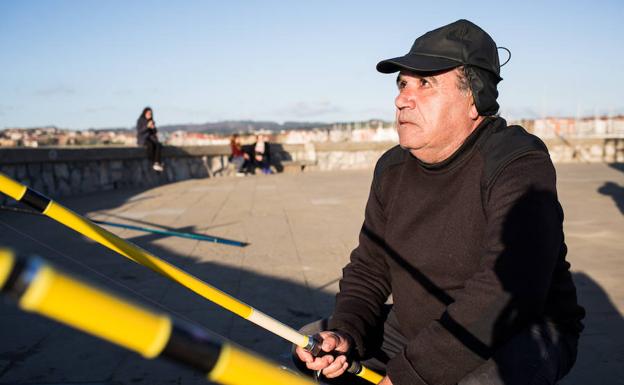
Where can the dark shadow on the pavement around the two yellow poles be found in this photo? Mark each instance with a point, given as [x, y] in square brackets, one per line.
[36, 350]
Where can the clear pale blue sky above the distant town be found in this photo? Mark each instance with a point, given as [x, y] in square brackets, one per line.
[82, 64]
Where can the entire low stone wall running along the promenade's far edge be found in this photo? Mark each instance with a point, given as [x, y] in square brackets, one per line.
[66, 171]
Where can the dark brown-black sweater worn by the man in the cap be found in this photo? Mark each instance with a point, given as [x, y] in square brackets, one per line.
[471, 250]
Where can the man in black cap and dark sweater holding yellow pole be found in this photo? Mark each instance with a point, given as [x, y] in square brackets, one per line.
[463, 228]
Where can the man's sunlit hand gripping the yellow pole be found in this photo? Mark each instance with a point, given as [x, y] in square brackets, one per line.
[330, 366]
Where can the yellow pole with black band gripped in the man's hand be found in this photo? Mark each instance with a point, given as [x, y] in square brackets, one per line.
[96, 233]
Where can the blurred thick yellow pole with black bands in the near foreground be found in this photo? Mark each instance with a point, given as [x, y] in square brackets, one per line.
[40, 288]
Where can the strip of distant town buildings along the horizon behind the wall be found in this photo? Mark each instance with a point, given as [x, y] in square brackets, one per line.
[366, 131]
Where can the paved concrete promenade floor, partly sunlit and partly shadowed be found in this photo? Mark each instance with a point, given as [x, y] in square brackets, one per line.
[300, 229]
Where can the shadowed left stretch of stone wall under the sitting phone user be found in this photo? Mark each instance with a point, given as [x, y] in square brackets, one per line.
[66, 171]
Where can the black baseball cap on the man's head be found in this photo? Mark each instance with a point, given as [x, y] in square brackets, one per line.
[453, 45]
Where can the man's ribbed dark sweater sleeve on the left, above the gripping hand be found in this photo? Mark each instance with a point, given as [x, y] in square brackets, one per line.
[365, 283]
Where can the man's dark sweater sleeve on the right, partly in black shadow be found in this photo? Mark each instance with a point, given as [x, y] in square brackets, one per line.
[523, 241]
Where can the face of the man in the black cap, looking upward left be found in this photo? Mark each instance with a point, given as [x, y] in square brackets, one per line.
[433, 115]
